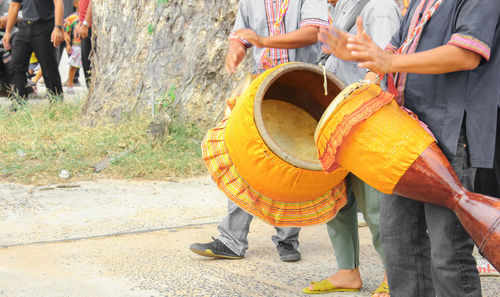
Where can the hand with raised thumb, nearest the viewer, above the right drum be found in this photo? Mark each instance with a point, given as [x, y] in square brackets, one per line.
[368, 54]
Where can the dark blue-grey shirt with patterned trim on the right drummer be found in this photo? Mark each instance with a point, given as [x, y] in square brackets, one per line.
[441, 100]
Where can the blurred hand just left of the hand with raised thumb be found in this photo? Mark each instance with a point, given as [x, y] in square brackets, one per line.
[334, 41]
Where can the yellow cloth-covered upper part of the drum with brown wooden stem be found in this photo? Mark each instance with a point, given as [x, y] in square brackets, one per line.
[366, 131]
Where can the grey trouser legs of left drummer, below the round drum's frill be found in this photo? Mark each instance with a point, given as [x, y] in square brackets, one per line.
[235, 227]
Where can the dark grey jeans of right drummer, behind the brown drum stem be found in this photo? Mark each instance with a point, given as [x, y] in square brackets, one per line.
[428, 251]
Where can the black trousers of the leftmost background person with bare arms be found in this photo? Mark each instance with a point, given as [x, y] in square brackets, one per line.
[35, 37]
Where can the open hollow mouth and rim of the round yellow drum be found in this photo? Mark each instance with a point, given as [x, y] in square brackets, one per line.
[301, 88]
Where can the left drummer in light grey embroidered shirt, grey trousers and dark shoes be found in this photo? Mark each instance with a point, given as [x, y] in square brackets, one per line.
[295, 25]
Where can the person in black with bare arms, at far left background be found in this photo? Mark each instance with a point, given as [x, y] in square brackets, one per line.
[40, 31]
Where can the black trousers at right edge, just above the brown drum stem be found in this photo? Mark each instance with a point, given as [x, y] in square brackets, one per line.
[488, 180]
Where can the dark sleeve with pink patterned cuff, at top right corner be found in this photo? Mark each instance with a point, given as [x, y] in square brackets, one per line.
[475, 26]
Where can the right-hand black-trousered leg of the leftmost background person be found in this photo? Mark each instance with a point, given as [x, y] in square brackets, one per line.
[45, 52]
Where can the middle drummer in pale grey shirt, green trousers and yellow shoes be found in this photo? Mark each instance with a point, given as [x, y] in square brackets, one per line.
[382, 20]
